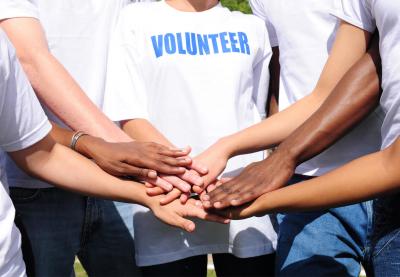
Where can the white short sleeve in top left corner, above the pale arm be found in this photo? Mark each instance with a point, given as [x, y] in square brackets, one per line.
[18, 8]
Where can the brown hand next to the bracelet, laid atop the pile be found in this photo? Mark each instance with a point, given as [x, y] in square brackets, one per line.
[142, 159]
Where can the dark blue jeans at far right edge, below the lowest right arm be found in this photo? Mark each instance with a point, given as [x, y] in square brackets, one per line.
[386, 237]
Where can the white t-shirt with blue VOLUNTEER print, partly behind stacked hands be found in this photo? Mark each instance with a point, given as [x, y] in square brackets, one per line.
[196, 77]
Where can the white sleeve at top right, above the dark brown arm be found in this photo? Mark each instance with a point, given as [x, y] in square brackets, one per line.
[357, 13]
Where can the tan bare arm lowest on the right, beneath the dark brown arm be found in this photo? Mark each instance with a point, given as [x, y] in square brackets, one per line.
[368, 177]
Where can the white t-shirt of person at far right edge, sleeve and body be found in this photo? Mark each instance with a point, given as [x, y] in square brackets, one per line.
[383, 14]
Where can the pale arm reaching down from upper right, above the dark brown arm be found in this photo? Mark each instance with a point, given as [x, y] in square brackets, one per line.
[275, 129]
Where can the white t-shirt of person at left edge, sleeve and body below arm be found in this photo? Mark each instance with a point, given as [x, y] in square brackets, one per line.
[23, 123]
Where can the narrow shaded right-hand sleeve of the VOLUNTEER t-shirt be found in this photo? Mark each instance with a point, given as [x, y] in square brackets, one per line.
[261, 75]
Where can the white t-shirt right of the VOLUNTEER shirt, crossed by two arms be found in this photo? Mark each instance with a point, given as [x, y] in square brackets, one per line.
[305, 33]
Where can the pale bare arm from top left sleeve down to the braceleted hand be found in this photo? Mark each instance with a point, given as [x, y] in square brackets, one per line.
[59, 92]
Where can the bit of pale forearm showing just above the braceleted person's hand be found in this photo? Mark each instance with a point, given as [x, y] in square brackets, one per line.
[142, 130]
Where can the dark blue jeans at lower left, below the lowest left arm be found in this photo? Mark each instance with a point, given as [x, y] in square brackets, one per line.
[57, 225]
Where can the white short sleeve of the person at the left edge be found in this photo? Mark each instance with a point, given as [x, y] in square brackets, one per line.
[21, 114]
